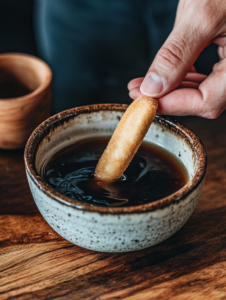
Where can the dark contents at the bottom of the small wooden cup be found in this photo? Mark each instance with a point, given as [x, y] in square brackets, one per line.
[13, 90]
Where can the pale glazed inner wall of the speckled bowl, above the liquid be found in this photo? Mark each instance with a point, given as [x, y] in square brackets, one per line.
[103, 123]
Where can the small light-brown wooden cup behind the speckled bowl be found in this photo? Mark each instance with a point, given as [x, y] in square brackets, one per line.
[19, 116]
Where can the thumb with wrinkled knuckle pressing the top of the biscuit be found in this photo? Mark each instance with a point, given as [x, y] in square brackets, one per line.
[173, 61]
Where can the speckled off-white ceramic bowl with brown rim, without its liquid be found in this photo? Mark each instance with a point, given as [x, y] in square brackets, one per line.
[113, 229]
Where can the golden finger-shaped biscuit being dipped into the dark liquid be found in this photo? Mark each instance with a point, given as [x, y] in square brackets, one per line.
[126, 139]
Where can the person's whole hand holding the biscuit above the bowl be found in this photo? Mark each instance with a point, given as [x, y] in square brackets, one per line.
[172, 78]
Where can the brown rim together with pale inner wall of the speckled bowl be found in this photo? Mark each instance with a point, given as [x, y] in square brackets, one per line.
[72, 125]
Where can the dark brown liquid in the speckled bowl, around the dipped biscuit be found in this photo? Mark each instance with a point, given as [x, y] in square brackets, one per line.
[154, 173]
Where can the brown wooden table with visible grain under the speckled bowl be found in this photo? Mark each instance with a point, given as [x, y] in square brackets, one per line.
[36, 263]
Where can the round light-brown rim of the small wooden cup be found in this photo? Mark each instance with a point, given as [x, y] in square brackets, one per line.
[44, 85]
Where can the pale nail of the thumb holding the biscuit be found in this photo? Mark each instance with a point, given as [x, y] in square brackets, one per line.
[152, 85]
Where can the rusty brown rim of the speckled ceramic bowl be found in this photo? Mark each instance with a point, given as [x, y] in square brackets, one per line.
[47, 126]
